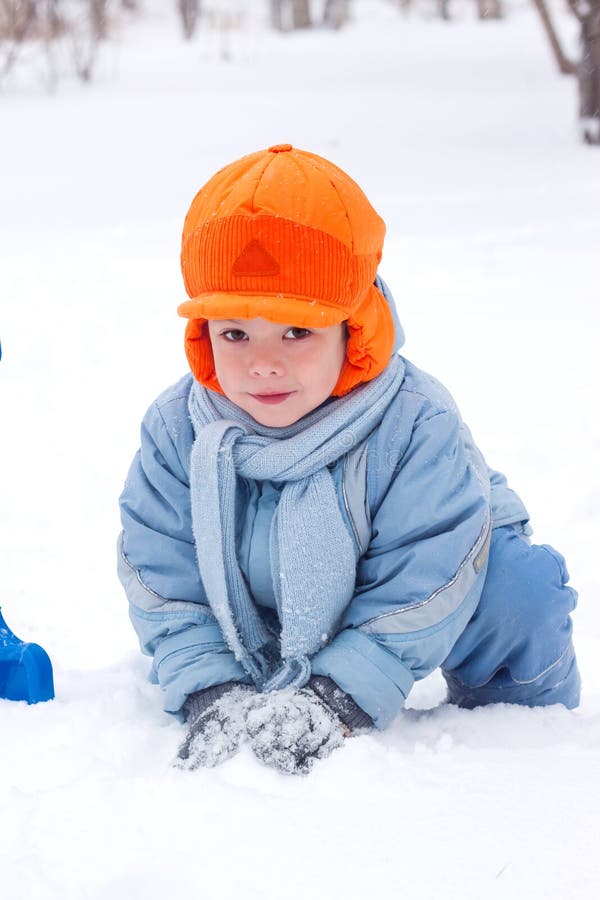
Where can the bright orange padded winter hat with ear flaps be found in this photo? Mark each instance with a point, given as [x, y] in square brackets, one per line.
[285, 235]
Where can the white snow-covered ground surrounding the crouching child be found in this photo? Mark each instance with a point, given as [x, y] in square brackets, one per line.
[464, 137]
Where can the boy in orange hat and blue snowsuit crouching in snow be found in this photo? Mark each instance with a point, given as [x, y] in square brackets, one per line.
[308, 527]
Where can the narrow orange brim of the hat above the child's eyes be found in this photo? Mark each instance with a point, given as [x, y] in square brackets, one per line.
[303, 313]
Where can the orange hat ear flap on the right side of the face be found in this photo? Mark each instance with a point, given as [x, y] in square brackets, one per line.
[370, 342]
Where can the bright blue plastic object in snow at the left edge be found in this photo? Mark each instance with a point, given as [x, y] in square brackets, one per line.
[25, 669]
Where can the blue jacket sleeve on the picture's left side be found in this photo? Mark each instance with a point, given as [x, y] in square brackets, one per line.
[157, 567]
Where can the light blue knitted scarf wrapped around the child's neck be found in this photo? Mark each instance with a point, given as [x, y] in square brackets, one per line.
[312, 554]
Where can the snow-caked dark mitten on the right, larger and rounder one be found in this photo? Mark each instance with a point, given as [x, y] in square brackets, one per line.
[289, 729]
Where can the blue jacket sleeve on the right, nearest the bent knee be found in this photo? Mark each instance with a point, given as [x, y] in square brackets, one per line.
[421, 577]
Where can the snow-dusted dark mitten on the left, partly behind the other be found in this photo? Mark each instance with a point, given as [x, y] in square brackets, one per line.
[216, 725]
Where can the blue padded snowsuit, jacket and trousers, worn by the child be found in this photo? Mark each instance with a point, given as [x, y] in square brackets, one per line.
[445, 577]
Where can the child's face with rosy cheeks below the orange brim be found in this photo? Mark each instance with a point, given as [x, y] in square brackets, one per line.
[277, 373]
